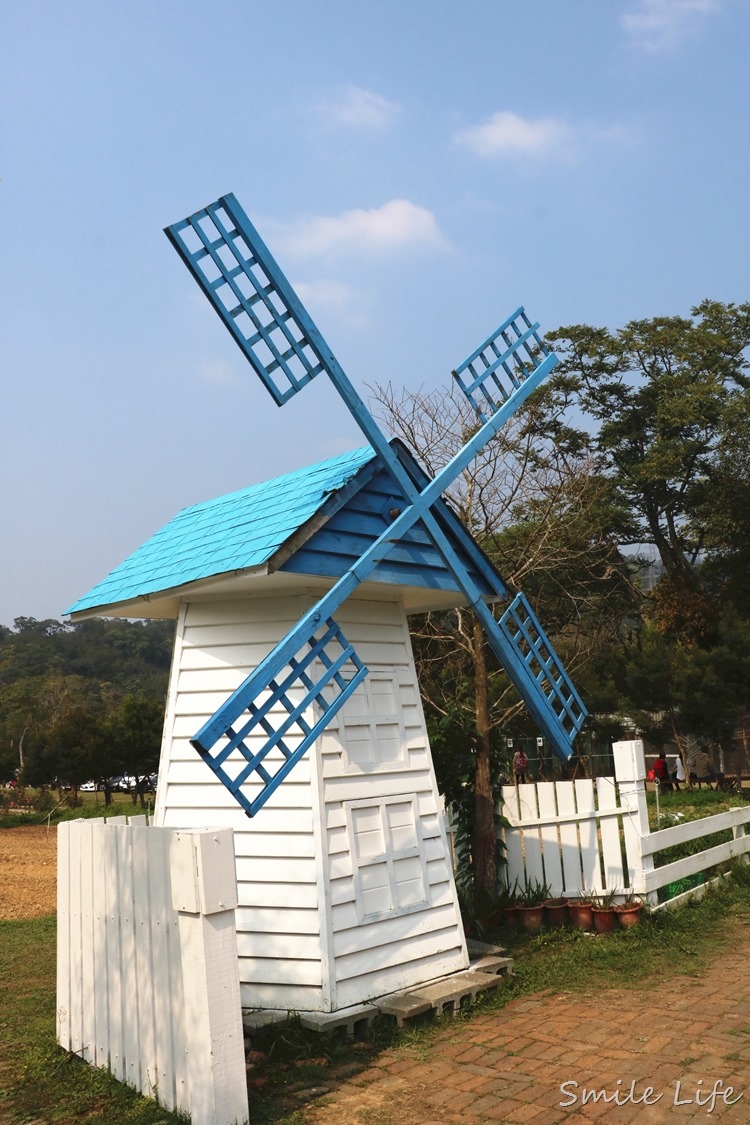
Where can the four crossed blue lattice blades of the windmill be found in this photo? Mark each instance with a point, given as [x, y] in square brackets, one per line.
[314, 670]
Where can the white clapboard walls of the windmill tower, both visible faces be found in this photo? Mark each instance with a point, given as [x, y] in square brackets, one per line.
[300, 917]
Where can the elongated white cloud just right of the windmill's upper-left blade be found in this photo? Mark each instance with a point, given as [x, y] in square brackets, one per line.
[397, 224]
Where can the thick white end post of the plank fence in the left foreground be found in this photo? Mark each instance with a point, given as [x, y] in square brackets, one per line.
[205, 895]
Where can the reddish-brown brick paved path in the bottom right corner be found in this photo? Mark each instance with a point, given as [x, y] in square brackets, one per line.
[509, 1066]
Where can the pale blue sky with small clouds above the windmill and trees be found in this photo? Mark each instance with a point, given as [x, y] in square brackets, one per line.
[419, 169]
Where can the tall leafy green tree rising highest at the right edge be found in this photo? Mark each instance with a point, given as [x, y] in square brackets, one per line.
[659, 397]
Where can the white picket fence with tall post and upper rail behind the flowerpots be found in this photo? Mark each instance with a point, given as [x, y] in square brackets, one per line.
[593, 838]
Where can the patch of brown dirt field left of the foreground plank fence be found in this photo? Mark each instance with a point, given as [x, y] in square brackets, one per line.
[28, 872]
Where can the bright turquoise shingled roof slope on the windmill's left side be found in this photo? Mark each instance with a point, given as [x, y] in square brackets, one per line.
[234, 533]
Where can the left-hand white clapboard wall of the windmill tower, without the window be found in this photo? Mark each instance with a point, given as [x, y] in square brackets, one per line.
[218, 645]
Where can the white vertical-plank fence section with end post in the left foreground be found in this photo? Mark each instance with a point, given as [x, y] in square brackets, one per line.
[148, 971]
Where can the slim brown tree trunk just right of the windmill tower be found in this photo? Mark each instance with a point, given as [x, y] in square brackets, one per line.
[484, 842]
